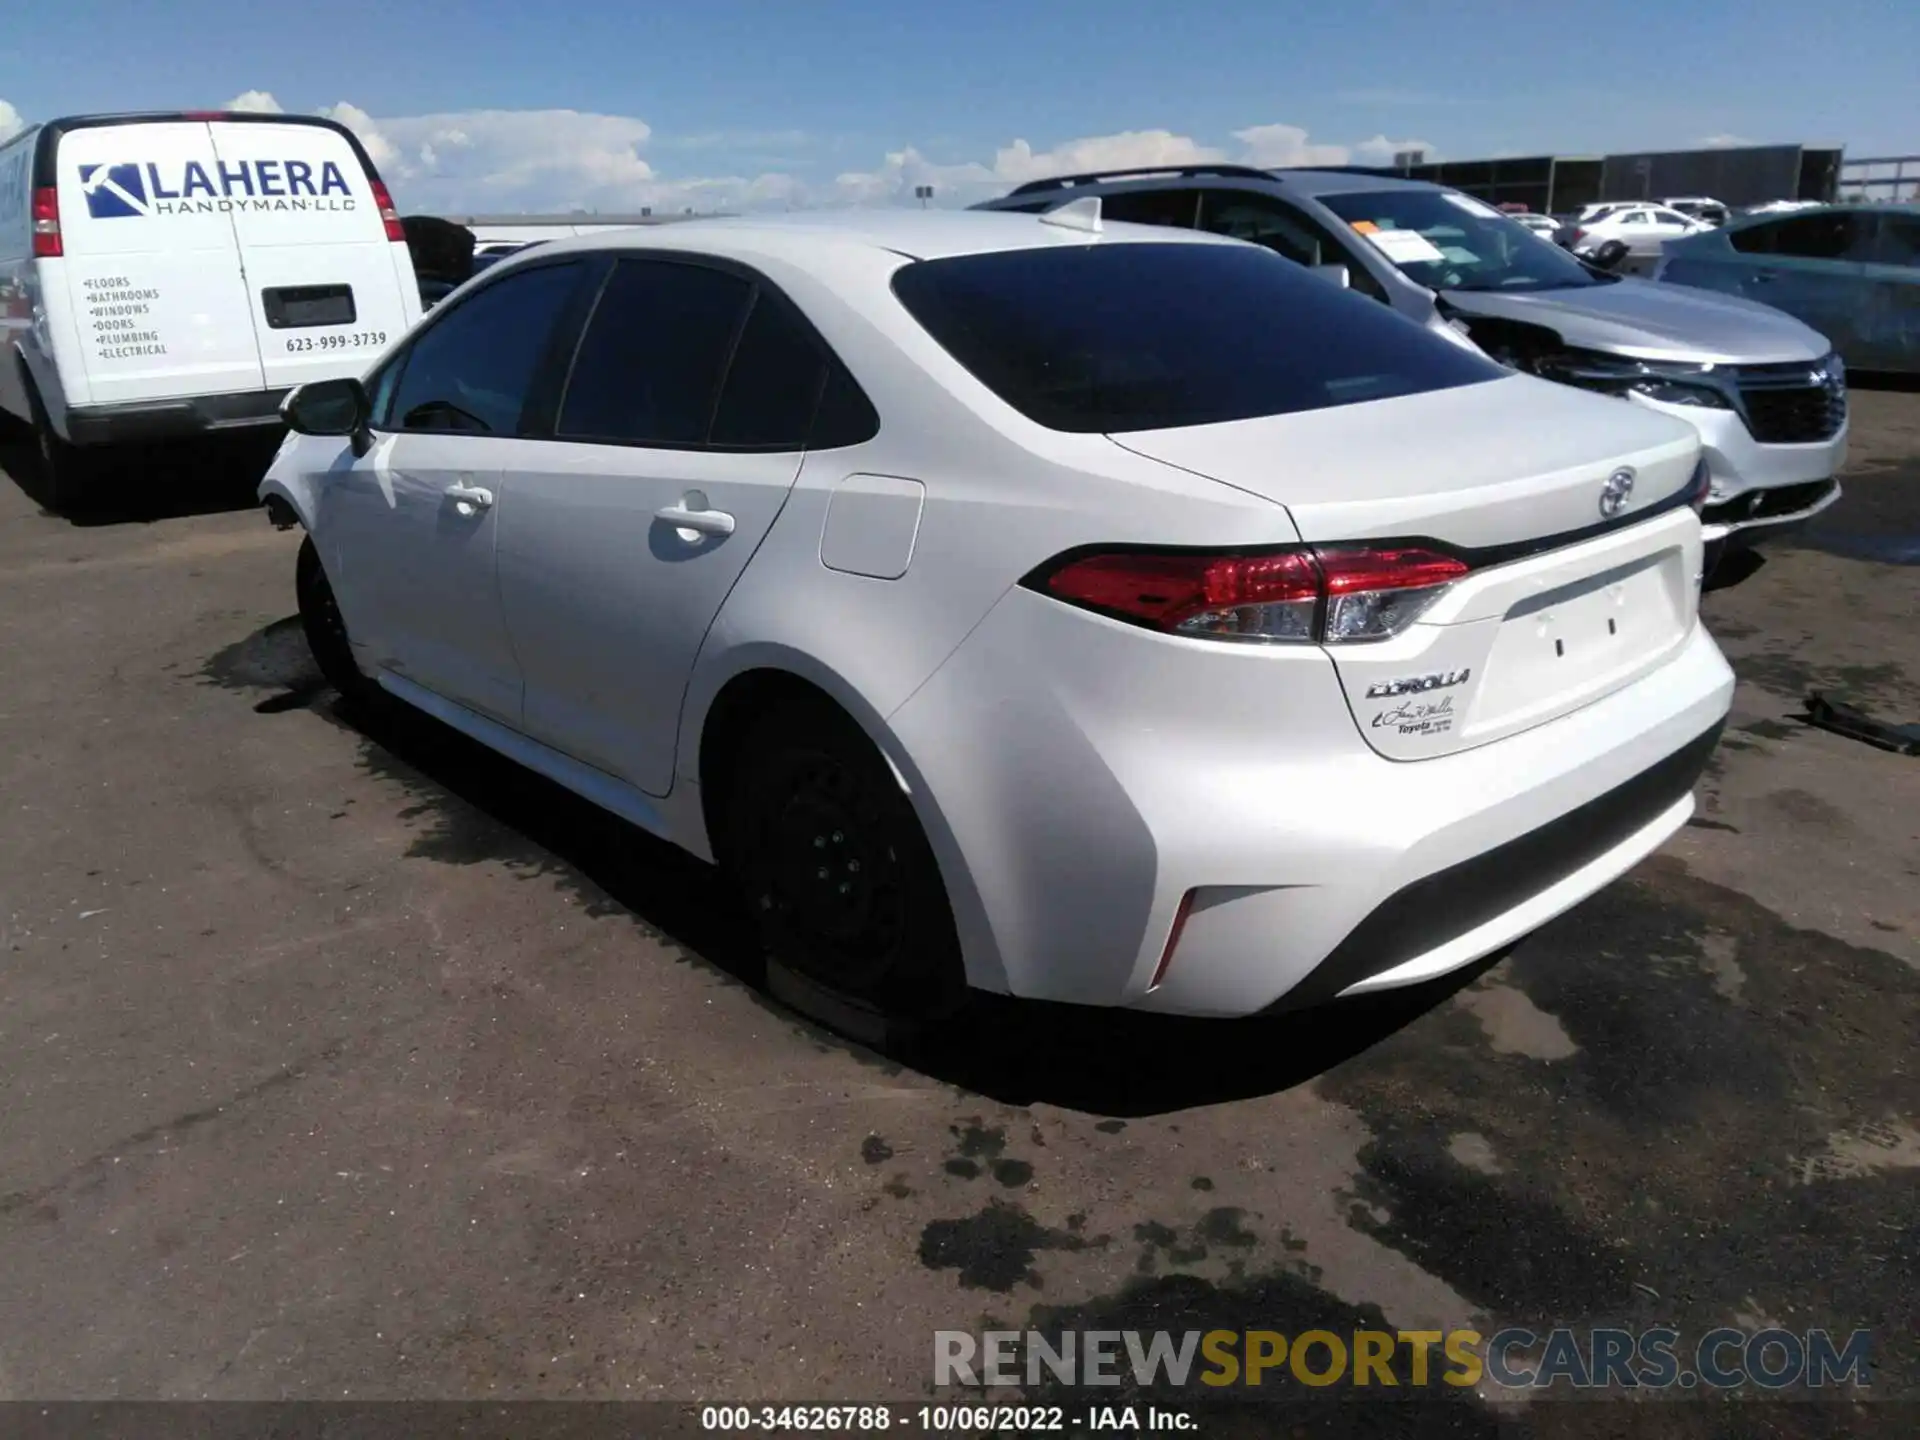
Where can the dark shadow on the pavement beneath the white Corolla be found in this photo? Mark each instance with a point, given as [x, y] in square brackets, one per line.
[475, 807]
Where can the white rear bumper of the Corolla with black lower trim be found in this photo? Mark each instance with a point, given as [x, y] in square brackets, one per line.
[1082, 780]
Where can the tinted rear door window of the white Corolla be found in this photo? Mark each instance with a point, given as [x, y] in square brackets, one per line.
[650, 366]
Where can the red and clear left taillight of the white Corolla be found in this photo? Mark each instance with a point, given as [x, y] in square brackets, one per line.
[1301, 596]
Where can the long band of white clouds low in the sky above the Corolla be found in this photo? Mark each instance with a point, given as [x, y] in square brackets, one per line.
[562, 160]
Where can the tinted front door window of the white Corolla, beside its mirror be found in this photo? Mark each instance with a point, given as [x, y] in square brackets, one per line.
[473, 368]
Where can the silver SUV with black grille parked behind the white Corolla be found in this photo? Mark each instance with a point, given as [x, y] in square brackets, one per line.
[1758, 385]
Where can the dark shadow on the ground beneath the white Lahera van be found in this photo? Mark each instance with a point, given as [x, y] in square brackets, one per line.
[153, 483]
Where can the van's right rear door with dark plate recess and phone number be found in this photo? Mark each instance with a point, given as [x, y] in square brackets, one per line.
[327, 289]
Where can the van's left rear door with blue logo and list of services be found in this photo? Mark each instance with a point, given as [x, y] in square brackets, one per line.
[153, 266]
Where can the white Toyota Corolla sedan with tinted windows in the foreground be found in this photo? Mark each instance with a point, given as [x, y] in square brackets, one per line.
[1113, 615]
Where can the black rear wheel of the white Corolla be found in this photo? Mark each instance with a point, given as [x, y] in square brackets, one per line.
[838, 873]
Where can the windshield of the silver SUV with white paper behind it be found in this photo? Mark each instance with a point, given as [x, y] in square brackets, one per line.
[1449, 241]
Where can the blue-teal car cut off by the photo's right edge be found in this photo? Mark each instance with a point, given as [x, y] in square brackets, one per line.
[1850, 272]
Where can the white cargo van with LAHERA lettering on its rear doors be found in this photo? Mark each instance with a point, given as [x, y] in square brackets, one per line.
[178, 274]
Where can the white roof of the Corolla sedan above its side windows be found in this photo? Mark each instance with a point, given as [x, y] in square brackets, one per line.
[907, 233]
